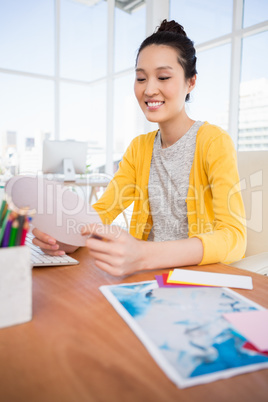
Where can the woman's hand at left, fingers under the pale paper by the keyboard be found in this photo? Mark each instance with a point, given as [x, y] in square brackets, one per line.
[49, 245]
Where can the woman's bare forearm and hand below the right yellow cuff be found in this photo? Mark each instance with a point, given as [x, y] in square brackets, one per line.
[118, 253]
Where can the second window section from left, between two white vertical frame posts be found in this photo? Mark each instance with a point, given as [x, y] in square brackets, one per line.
[83, 68]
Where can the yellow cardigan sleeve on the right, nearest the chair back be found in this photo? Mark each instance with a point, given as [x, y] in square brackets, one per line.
[226, 242]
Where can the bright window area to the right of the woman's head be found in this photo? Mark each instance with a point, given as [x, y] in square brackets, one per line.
[213, 97]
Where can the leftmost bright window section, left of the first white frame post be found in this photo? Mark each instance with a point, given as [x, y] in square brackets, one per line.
[26, 90]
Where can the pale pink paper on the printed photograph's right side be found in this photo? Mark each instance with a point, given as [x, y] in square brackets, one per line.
[253, 325]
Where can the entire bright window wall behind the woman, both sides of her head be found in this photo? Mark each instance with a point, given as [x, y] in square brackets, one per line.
[55, 83]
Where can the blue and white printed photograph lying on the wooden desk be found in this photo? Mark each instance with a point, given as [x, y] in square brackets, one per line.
[185, 331]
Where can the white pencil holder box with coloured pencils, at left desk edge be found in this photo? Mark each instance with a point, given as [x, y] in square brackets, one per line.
[15, 286]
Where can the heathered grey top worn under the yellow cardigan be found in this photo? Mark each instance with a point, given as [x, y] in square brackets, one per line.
[168, 186]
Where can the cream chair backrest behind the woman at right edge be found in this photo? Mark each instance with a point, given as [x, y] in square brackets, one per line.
[253, 170]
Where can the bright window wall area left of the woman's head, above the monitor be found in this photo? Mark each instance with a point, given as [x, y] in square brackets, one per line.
[54, 78]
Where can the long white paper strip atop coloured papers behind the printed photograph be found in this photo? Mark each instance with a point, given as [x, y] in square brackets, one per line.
[211, 279]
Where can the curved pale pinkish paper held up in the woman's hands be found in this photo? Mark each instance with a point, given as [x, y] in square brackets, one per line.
[56, 210]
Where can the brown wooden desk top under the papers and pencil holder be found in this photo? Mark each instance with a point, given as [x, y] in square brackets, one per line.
[77, 348]
